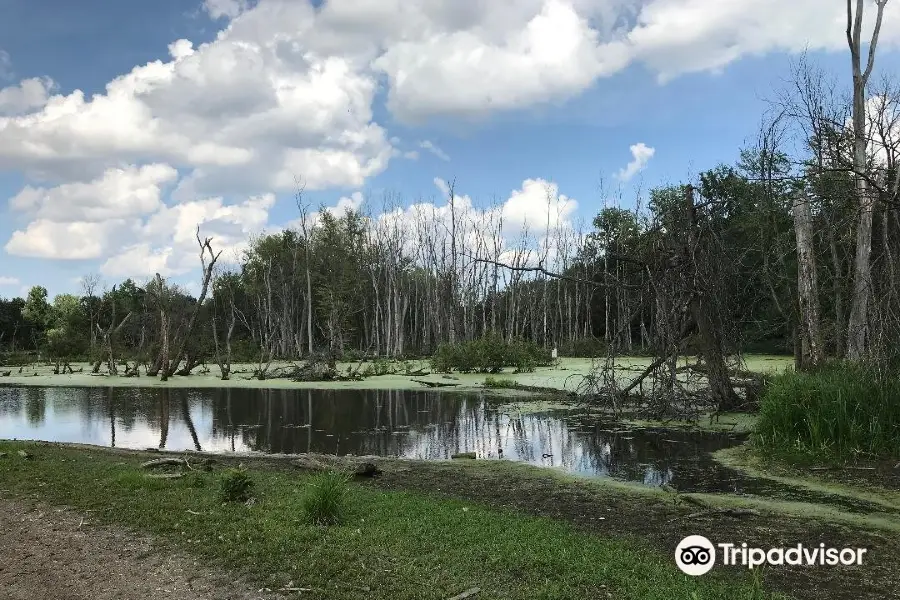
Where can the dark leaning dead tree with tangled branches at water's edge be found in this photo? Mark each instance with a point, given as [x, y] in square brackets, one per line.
[679, 266]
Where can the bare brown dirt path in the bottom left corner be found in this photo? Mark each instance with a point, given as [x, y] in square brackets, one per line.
[53, 554]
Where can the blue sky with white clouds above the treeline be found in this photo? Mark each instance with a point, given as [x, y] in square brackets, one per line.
[125, 125]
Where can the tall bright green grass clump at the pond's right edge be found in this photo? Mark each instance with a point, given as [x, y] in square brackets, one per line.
[841, 409]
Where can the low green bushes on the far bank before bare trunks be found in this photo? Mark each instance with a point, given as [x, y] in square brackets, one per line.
[489, 354]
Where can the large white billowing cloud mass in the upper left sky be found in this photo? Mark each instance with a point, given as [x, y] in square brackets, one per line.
[246, 113]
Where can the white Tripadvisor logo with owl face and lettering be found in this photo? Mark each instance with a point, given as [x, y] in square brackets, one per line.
[696, 555]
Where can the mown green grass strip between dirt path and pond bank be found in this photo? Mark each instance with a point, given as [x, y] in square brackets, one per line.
[392, 545]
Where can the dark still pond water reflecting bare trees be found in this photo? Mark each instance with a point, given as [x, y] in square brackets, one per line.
[410, 424]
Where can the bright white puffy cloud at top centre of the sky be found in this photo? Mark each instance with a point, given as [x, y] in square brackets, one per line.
[500, 56]
